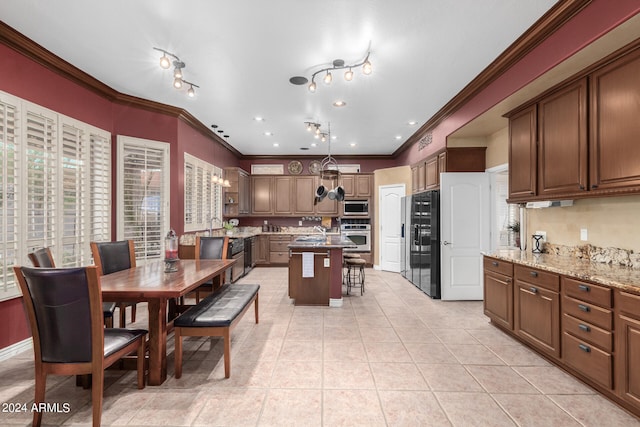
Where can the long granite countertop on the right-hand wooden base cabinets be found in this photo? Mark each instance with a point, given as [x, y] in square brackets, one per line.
[616, 276]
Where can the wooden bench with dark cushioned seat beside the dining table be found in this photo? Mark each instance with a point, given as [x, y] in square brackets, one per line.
[215, 316]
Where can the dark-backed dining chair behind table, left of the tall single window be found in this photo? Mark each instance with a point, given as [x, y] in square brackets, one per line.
[110, 257]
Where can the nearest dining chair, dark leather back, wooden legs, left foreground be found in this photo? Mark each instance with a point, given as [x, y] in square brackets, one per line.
[64, 307]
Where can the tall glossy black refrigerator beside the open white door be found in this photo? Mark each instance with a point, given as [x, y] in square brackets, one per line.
[421, 241]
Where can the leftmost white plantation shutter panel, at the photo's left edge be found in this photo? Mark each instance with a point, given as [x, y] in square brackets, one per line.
[9, 200]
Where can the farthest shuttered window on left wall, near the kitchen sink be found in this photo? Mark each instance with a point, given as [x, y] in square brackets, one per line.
[202, 198]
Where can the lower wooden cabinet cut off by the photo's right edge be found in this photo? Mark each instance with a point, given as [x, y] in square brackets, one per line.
[628, 348]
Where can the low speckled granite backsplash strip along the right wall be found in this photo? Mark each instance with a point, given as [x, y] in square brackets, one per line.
[614, 256]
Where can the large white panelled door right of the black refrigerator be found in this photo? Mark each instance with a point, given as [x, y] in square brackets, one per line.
[465, 224]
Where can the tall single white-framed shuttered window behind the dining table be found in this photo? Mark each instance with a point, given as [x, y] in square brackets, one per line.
[143, 195]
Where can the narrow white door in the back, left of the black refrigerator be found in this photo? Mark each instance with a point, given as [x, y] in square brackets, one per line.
[389, 200]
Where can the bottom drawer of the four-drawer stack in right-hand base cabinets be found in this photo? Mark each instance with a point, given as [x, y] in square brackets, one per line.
[588, 360]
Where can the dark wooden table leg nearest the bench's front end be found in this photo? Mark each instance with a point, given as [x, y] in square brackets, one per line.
[157, 341]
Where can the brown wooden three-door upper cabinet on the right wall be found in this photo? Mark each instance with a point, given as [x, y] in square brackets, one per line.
[578, 140]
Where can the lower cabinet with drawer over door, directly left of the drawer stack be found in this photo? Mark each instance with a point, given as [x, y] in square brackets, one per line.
[537, 308]
